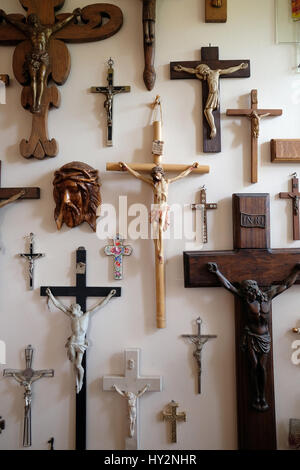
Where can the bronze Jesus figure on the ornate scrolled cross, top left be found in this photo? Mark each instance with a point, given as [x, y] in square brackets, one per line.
[37, 61]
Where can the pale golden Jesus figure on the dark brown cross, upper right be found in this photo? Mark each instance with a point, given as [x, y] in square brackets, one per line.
[204, 72]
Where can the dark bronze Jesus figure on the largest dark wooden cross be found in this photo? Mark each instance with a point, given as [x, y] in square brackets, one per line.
[257, 338]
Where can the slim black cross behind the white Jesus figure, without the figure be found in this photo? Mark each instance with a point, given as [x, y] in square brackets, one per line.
[81, 292]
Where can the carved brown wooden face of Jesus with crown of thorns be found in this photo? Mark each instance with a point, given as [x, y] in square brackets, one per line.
[76, 194]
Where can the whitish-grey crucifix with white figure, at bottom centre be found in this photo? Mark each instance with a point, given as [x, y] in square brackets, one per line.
[132, 383]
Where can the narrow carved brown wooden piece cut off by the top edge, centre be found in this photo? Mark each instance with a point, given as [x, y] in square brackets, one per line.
[149, 18]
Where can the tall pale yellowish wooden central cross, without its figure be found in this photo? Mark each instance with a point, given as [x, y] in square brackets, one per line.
[148, 167]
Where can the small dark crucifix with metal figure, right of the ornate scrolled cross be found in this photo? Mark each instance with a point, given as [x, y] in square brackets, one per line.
[110, 91]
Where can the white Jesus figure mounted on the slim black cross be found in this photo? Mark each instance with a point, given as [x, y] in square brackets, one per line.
[77, 343]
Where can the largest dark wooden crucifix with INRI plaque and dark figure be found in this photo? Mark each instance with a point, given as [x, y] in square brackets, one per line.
[252, 256]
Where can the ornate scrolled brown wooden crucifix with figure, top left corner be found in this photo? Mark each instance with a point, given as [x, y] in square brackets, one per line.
[41, 55]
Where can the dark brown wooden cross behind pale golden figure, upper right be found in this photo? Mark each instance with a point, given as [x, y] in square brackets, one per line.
[210, 57]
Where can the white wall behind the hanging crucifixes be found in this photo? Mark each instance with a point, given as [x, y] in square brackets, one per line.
[79, 127]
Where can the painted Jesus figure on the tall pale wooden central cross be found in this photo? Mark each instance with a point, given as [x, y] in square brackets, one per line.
[160, 212]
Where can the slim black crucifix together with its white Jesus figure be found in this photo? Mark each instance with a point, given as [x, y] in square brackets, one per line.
[77, 343]
